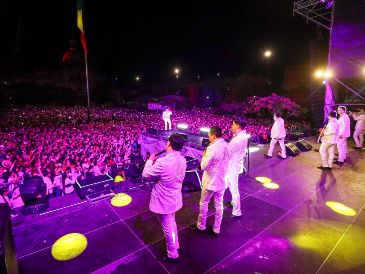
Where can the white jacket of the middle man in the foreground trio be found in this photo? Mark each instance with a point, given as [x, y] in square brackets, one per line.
[215, 165]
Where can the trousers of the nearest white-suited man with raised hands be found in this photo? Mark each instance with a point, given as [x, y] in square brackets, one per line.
[169, 228]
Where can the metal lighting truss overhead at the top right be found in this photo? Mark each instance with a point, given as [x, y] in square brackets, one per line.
[317, 11]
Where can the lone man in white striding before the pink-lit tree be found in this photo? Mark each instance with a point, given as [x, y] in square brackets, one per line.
[277, 135]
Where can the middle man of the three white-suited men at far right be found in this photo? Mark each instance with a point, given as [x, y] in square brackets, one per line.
[344, 133]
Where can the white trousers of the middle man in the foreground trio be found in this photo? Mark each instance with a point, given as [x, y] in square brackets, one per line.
[206, 195]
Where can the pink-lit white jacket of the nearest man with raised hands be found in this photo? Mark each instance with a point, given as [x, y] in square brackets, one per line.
[169, 172]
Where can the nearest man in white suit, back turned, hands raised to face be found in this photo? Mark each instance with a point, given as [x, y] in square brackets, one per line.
[166, 197]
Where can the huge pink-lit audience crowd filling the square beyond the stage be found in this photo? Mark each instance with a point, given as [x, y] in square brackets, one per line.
[58, 145]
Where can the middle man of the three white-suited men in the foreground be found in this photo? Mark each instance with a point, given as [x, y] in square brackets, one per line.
[214, 163]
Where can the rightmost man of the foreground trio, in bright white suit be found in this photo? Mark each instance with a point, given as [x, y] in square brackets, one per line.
[237, 148]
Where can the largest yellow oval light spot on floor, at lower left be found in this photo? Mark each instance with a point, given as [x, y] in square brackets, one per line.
[69, 246]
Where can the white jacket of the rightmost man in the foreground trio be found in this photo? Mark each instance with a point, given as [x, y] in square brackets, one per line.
[237, 148]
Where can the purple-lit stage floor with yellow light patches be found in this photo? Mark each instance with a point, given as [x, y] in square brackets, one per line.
[285, 230]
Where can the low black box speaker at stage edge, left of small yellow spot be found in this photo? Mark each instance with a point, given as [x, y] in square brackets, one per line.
[94, 185]
